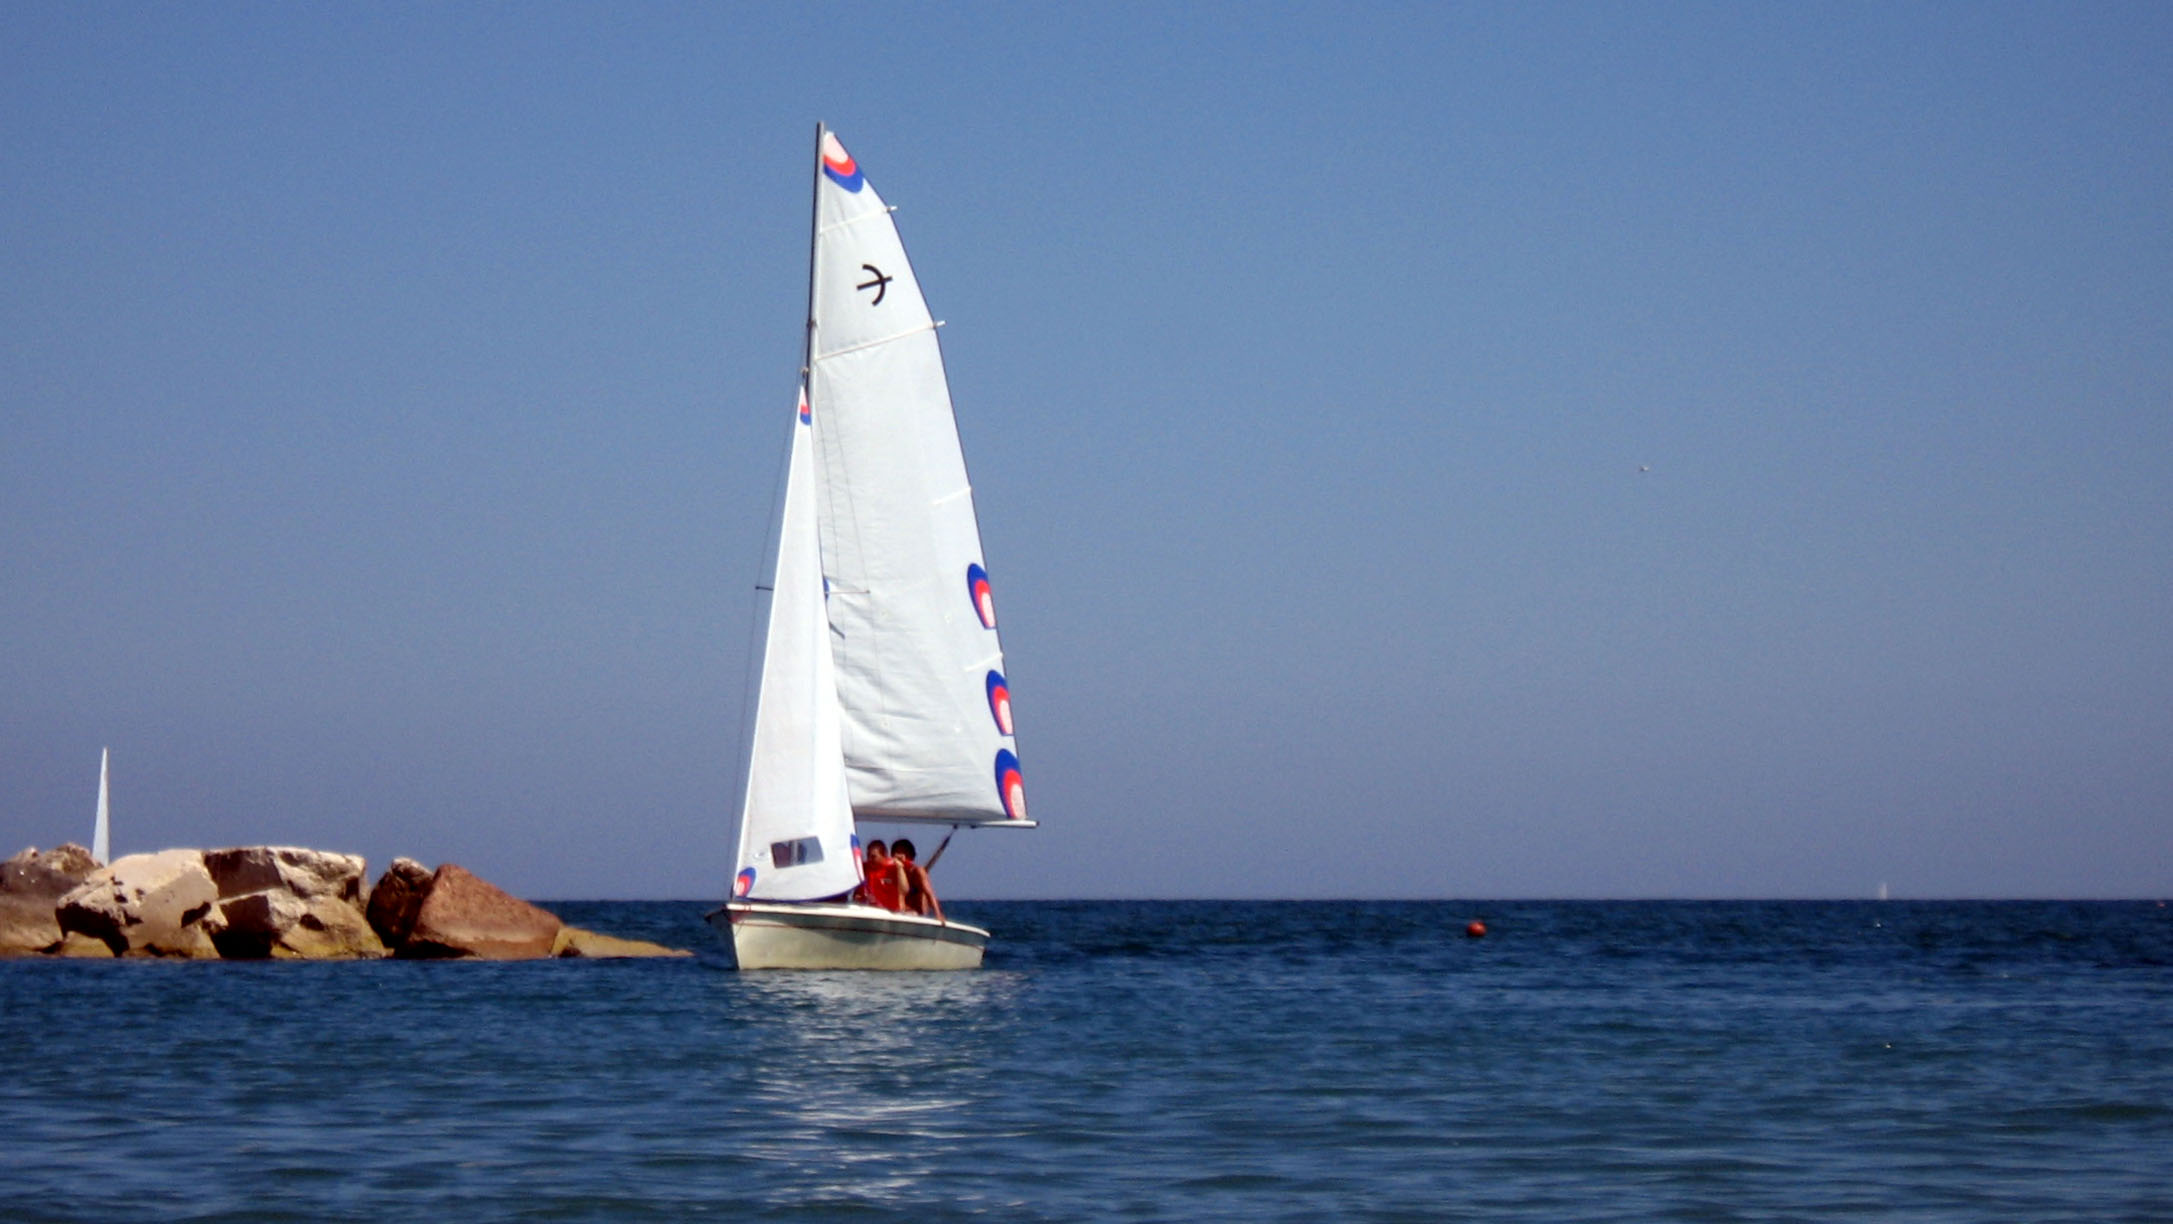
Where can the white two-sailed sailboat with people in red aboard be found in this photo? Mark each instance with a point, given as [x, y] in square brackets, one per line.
[883, 688]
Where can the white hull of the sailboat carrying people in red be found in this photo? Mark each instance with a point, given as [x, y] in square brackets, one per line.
[822, 936]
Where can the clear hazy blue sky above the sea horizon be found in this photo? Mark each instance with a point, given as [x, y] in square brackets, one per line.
[390, 403]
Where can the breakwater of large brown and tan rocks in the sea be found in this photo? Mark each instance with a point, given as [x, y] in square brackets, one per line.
[253, 903]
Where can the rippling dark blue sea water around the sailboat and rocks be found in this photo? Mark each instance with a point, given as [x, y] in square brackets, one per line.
[1140, 1062]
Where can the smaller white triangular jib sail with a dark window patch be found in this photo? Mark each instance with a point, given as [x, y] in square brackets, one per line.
[796, 825]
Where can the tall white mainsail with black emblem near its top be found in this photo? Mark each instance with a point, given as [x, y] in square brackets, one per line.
[920, 671]
